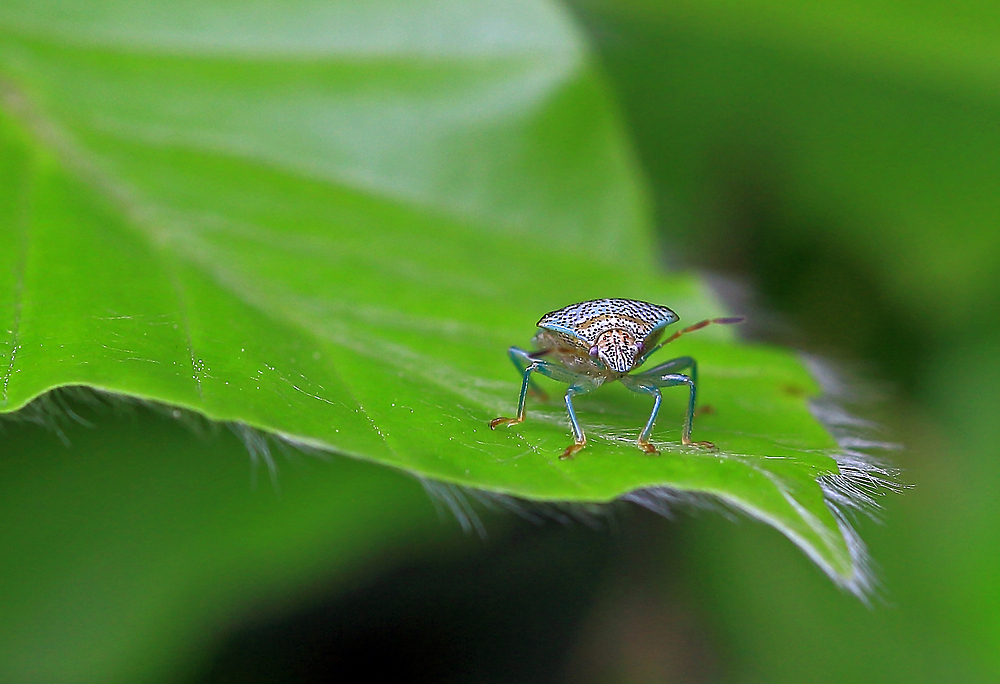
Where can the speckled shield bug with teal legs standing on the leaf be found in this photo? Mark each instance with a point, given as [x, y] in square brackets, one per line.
[603, 340]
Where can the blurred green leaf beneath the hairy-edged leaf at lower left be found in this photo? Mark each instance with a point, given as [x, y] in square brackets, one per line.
[126, 553]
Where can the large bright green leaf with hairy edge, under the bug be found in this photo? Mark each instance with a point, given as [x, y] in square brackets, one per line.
[330, 225]
